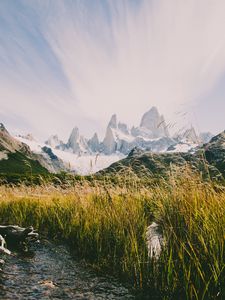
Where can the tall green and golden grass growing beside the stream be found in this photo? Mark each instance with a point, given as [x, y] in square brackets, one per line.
[106, 225]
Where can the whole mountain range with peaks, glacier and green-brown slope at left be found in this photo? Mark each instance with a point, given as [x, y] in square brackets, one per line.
[84, 156]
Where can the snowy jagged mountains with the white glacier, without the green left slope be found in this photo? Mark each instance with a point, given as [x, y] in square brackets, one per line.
[84, 156]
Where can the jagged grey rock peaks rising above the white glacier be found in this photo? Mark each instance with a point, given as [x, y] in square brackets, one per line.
[152, 134]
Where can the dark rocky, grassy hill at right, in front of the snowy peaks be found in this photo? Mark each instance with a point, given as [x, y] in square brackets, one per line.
[208, 159]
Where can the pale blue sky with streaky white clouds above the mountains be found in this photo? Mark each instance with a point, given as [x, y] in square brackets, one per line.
[67, 63]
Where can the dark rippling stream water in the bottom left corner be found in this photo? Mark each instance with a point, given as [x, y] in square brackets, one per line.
[50, 272]
